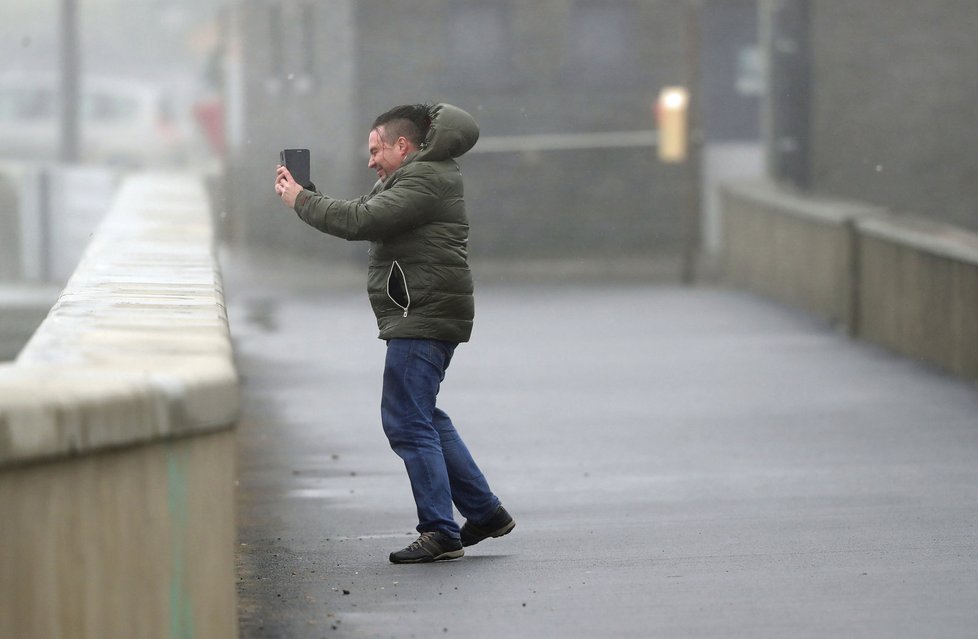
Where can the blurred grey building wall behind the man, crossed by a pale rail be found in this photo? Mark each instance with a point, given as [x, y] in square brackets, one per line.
[531, 68]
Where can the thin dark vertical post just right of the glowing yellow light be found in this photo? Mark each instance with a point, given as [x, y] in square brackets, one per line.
[694, 159]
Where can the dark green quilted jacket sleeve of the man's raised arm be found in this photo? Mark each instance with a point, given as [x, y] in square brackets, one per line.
[409, 202]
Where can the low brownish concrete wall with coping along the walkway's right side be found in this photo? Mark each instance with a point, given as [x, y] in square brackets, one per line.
[903, 282]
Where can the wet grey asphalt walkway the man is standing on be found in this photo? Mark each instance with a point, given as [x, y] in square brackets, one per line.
[680, 463]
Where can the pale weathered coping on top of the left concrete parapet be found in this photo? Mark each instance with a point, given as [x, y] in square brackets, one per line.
[137, 347]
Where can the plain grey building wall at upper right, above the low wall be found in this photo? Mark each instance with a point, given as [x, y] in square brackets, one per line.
[894, 105]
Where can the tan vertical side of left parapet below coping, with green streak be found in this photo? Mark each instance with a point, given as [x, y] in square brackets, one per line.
[127, 543]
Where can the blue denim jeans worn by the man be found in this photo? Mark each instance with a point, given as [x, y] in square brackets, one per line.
[438, 464]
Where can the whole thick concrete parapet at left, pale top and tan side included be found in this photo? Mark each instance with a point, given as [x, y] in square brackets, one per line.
[116, 436]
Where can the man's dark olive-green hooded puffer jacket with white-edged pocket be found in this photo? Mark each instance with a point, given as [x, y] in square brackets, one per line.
[419, 281]
